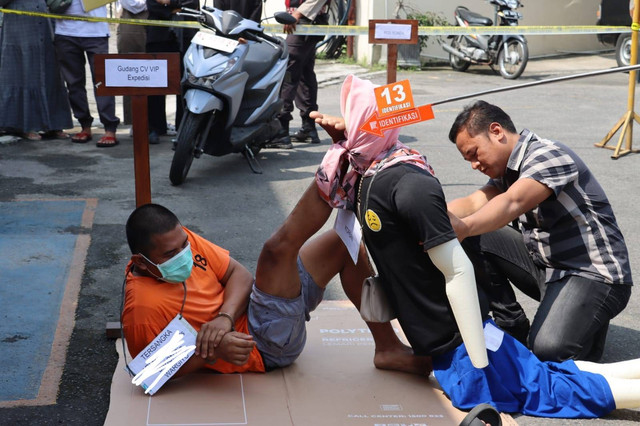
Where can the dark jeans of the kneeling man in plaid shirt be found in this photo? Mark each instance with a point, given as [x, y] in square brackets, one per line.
[573, 316]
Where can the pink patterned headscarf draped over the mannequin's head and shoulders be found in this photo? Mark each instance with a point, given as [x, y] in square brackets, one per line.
[361, 150]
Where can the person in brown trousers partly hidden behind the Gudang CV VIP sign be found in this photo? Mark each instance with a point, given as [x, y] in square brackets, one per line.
[131, 39]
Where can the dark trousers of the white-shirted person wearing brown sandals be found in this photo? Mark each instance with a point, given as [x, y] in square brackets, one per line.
[71, 53]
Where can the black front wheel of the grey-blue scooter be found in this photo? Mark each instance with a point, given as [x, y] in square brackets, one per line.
[187, 140]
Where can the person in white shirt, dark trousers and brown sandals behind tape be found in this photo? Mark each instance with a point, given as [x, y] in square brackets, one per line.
[75, 40]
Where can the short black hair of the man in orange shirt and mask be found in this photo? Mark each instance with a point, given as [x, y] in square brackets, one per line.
[146, 221]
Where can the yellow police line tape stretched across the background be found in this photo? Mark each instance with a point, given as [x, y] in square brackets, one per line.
[359, 30]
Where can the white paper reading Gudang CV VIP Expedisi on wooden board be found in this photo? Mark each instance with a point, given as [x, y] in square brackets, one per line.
[135, 72]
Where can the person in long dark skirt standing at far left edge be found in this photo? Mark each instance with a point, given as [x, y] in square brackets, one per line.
[33, 97]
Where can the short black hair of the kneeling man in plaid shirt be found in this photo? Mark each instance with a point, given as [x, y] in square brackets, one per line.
[477, 117]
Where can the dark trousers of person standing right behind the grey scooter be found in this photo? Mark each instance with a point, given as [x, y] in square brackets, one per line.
[300, 84]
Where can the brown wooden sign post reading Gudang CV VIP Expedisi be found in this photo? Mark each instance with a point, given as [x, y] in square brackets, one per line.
[138, 75]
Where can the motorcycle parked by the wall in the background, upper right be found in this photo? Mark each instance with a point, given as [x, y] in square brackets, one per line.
[508, 52]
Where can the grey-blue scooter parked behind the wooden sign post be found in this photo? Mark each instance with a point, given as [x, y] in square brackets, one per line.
[231, 87]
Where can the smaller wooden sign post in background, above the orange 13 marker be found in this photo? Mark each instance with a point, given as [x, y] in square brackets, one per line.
[393, 32]
